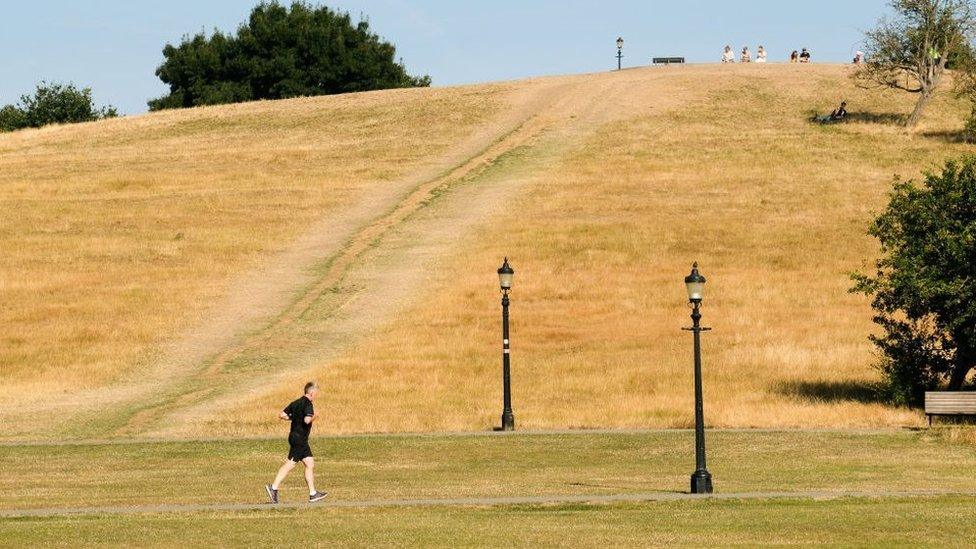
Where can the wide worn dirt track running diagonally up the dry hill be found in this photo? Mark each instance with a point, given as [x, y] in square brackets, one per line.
[364, 243]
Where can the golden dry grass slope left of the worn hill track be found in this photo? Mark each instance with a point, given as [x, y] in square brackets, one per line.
[117, 235]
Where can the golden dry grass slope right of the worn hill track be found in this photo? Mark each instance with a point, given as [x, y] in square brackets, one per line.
[775, 209]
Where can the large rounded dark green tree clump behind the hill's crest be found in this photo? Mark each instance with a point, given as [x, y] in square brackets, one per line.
[300, 50]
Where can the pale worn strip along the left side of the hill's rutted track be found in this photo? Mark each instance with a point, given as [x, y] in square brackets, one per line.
[258, 295]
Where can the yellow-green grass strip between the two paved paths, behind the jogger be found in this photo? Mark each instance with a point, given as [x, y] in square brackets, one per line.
[392, 467]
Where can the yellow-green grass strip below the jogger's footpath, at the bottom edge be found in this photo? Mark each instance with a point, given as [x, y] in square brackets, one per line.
[944, 521]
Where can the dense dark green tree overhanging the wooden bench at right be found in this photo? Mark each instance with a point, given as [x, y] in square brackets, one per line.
[924, 287]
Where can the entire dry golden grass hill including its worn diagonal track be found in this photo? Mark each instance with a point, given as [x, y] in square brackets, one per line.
[181, 273]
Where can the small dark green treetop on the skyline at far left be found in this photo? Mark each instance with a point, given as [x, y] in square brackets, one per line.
[53, 104]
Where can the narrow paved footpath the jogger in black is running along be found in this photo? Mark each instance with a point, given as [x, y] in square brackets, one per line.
[468, 502]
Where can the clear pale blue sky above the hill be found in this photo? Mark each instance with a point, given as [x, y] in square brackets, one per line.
[114, 46]
